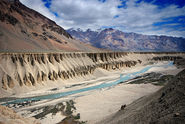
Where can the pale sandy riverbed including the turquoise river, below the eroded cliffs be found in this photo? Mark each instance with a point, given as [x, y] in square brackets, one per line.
[97, 100]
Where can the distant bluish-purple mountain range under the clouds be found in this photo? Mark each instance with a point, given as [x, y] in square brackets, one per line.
[113, 39]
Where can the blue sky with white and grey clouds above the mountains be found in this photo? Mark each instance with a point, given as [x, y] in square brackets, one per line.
[161, 17]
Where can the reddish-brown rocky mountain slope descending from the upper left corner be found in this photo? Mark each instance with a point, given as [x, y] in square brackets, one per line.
[23, 29]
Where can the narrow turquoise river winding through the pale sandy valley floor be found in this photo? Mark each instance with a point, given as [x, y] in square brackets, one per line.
[123, 78]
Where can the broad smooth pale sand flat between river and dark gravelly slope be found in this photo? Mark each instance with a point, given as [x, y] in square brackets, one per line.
[99, 104]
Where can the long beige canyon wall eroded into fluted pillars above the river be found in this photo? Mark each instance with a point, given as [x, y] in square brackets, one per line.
[20, 70]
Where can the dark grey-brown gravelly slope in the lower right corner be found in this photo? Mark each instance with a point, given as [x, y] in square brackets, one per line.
[166, 106]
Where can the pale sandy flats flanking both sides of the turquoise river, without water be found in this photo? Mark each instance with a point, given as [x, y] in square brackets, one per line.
[93, 105]
